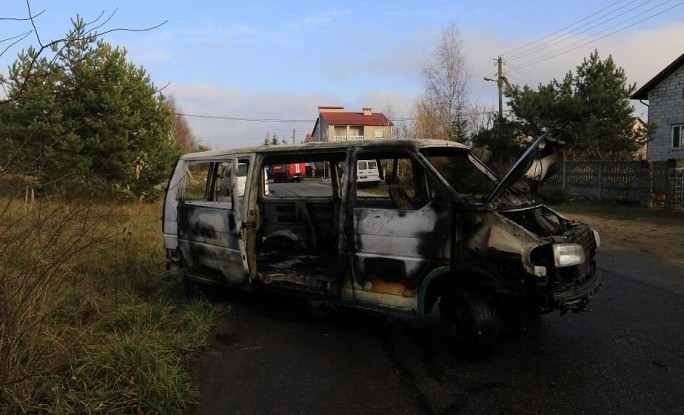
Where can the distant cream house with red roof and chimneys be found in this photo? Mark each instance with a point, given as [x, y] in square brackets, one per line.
[336, 124]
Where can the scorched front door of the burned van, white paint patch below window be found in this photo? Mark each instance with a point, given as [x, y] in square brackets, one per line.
[402, 230]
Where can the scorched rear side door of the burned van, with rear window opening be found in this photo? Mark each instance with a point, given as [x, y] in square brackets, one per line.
[209, 228]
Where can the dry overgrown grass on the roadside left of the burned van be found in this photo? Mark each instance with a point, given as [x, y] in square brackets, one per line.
[91, 323]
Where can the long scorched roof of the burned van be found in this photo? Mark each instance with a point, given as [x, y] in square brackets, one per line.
[326, 145]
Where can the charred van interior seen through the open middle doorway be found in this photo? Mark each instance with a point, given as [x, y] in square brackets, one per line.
[297, 235]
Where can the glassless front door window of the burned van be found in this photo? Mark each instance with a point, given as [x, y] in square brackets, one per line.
[402, 183]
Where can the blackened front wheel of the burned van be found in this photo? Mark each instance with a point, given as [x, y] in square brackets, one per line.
[468, 323]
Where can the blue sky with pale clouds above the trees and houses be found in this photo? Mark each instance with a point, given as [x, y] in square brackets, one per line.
[266, 66]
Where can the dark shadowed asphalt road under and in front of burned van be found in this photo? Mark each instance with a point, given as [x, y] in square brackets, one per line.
[271, 356]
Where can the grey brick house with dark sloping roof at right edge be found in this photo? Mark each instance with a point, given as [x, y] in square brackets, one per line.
[665, 95]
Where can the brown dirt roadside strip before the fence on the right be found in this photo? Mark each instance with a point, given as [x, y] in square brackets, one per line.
[662, 240]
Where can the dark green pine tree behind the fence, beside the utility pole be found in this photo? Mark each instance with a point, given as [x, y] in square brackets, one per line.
[593, 104]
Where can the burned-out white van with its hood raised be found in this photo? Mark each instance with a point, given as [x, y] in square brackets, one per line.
[441, 230]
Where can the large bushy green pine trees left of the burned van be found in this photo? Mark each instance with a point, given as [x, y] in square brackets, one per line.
[79, 119]
